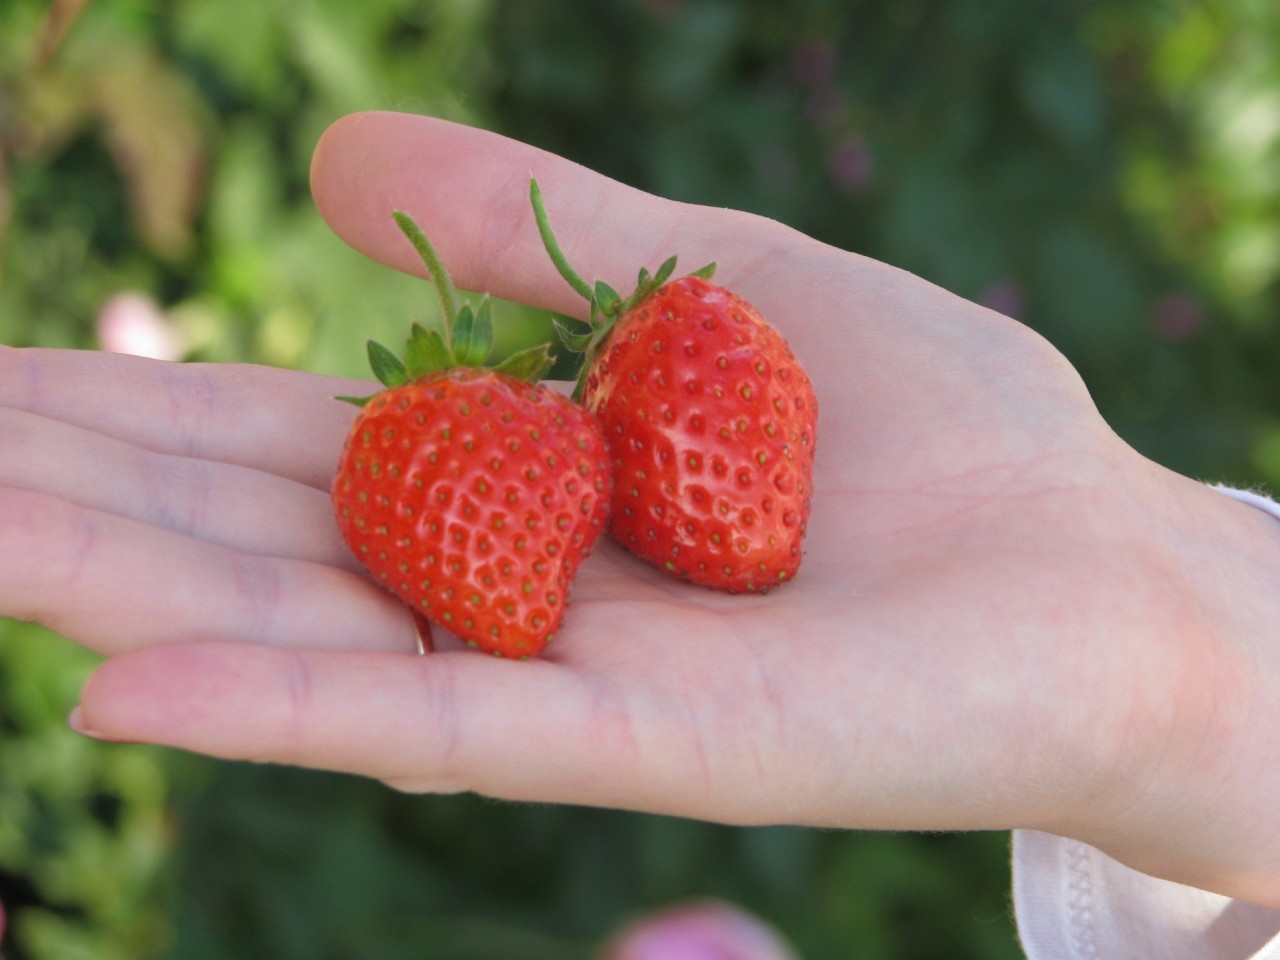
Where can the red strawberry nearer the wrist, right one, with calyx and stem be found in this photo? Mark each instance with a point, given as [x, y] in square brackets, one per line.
[711, 424]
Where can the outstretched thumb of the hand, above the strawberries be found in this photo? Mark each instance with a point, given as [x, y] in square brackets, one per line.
[866, 333]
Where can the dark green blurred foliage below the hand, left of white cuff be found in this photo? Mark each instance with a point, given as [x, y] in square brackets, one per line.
[464, 879]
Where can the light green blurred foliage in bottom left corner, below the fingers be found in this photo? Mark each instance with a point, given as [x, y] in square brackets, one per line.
[85, 835]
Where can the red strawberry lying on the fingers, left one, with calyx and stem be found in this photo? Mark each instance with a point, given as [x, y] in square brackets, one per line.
[472, 493]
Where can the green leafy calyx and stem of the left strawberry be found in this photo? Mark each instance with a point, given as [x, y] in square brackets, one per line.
[464, 341]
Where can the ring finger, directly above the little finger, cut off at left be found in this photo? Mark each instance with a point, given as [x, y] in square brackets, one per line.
[115, 584]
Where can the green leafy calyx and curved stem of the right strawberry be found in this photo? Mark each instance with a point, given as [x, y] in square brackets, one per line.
[607, 307]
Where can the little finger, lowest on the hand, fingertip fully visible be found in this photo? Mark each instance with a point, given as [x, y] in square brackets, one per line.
[444, 723]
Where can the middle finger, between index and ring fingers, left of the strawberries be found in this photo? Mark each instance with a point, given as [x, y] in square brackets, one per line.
[248, 510]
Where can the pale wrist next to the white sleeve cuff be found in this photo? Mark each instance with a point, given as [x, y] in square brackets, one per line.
[1194, 796]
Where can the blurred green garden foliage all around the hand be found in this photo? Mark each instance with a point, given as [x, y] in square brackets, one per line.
[1107, 172]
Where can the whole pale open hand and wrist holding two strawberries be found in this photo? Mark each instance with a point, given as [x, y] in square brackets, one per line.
[1005, 619]
